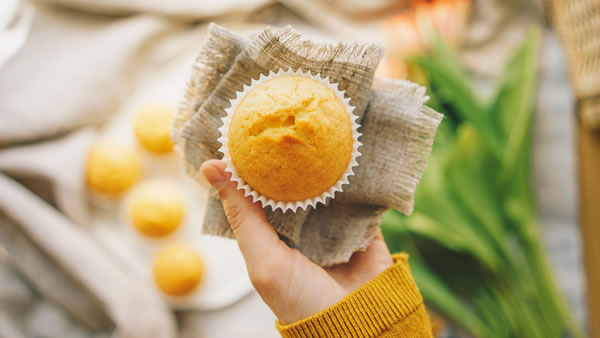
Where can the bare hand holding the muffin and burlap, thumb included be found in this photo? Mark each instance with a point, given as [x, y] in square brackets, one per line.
[289, 283]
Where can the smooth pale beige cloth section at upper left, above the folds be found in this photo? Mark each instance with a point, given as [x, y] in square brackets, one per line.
[75, 70]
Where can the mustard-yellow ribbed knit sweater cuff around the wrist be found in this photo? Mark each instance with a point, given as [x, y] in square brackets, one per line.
[390, 305]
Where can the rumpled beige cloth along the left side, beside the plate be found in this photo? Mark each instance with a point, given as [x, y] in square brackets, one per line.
[73, 71]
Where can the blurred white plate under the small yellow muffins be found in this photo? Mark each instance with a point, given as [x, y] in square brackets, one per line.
[226, 280]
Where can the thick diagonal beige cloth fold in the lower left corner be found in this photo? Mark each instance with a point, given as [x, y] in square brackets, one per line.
[135, 310]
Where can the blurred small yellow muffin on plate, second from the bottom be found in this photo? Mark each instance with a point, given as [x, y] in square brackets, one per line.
[156, 208]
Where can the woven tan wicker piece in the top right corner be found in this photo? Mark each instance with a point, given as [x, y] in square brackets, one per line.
[578, 23]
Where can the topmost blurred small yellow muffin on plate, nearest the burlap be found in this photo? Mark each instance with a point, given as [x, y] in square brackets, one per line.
[152, 124]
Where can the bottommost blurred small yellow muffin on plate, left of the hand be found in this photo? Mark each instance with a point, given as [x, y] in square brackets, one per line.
[177, 269]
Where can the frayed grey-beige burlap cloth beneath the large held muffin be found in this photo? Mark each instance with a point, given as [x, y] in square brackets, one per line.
[398, 132]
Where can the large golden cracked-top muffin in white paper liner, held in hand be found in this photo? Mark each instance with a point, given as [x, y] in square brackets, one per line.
[290, 138]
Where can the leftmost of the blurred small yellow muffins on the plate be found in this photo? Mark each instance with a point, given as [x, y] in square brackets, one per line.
[111, 168]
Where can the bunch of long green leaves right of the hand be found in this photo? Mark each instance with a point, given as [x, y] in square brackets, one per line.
[476, 250]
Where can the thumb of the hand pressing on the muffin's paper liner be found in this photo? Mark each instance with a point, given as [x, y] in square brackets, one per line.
[255, 235]
